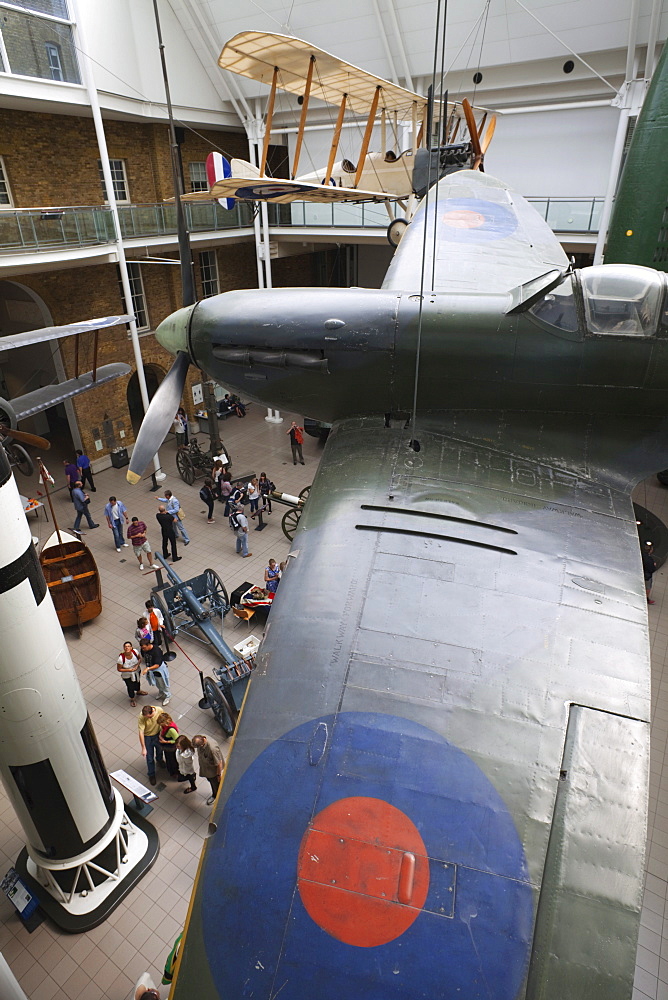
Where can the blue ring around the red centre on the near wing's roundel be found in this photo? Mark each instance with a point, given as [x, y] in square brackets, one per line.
[473, 935]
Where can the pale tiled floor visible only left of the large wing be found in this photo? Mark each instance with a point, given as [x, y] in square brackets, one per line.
[106, 962]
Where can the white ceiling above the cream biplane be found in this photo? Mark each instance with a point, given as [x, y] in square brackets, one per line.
[513, 50]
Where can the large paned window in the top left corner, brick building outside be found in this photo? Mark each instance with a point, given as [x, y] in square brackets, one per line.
[39, 46]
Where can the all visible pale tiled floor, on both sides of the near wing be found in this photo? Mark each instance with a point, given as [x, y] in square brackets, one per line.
[106, 962]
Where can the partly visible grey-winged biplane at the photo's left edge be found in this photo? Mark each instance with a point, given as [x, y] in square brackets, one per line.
[13, 411]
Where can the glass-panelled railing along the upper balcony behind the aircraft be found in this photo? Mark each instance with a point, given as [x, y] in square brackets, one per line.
[23, 230]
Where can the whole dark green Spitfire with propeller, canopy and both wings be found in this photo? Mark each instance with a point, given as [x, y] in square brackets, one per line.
[438, 786]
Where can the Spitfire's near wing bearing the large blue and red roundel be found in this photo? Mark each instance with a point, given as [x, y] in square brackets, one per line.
[436, 788]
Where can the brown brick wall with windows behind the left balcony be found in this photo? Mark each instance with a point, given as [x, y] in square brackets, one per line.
[52, 160]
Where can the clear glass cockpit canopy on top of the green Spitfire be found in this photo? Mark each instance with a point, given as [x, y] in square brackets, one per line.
[621, 300]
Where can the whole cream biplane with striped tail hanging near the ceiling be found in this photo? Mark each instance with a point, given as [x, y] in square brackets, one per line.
[298, 68]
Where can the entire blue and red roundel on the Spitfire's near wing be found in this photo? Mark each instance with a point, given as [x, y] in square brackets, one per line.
[392, 867]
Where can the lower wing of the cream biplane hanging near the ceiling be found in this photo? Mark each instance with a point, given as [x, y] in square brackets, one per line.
[282, 192]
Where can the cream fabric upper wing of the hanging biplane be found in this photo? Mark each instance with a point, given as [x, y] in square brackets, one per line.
[255, 54]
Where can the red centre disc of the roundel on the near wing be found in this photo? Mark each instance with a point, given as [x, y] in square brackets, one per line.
[363, 871]
